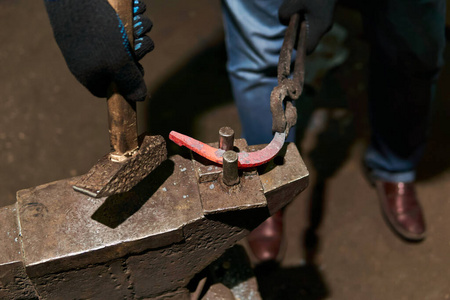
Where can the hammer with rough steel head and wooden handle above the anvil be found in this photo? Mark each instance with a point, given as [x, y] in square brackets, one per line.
[132, 158]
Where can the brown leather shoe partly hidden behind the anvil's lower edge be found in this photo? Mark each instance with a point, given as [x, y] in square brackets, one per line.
[265, 241]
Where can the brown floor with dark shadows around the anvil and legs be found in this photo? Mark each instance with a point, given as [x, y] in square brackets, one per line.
[338, 244]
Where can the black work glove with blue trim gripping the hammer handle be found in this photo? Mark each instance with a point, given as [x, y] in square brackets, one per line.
[95, 46]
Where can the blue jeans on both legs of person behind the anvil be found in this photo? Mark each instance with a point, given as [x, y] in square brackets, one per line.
[407, 40]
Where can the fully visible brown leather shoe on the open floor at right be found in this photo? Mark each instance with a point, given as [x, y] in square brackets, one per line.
[402, 209]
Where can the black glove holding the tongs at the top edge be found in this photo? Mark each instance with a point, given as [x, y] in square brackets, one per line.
[318, 16]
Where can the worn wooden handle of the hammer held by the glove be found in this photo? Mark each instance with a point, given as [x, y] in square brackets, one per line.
[122, 114]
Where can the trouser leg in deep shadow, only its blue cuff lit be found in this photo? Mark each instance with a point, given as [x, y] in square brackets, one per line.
[407, 42]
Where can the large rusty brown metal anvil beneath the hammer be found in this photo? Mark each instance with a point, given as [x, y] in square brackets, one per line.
[147, 243]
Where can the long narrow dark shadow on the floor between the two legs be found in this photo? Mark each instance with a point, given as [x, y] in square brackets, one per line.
[334, 136]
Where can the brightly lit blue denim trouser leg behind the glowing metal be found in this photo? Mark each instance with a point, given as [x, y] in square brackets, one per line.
[253, 38]
